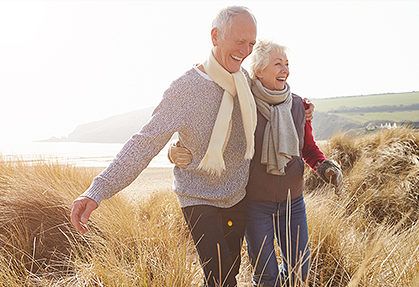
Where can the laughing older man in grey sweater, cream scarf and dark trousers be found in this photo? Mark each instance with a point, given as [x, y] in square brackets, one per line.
[213, 110]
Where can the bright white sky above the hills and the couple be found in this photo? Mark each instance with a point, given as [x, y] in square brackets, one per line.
[65, 63]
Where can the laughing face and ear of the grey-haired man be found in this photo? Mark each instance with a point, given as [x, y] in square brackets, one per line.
[236, 44]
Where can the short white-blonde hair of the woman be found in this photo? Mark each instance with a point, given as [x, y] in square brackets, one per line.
[259, 59]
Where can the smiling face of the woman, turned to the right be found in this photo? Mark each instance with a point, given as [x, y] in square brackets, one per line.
[275, 75]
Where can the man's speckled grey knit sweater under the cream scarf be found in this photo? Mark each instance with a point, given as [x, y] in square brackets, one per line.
[190, 107]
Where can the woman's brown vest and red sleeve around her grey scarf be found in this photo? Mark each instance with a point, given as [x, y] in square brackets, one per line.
[267, 187]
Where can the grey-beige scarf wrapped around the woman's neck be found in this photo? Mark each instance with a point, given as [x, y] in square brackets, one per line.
[280, 140]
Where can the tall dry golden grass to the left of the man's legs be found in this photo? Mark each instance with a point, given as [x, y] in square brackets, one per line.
[129, 244]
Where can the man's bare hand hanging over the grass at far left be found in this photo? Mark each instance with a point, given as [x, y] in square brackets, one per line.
[81, 209]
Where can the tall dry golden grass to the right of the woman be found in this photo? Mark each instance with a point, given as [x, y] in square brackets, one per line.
[368, 234]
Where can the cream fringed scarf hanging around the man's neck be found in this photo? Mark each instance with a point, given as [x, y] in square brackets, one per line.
[232, 83]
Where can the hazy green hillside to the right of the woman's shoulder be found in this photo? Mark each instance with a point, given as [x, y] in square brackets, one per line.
[356, 113]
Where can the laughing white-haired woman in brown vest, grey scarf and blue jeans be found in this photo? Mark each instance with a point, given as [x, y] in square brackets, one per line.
[275, 202]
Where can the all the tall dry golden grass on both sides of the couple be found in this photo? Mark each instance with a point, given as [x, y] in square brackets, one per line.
[367, 235]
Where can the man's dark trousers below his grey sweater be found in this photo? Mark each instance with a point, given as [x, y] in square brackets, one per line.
[218, 235]
